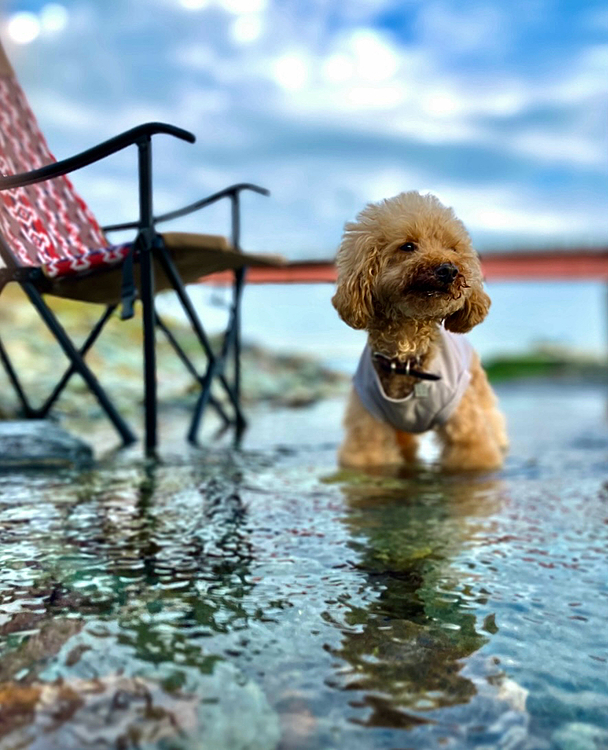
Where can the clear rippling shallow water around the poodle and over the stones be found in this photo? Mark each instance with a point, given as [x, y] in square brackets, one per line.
[261, 599]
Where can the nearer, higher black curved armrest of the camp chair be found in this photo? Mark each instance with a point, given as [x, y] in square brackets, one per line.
[111, 146]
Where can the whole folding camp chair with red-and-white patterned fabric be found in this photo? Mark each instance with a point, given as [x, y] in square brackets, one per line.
[50, 243]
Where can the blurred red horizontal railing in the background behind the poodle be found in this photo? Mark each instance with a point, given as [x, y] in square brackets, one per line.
[521, 266]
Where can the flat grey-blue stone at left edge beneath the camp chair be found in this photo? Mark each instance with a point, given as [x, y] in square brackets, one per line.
[35, 444]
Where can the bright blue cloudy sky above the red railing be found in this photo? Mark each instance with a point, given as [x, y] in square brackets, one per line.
[499, 108]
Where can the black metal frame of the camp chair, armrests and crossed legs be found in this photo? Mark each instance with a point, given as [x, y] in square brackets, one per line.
[148, 243]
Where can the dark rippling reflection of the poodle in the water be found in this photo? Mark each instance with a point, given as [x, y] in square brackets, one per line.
[402, 652]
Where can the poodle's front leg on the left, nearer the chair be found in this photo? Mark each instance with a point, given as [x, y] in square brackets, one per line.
[368, 442]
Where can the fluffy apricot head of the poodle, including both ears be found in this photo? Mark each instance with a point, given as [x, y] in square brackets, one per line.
[409, 257]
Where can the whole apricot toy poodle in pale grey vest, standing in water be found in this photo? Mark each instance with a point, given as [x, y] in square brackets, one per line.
[409, 276]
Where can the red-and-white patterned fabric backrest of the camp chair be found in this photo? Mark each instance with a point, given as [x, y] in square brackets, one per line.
[43, 222]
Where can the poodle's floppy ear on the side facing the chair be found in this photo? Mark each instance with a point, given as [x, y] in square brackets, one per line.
[357, 263]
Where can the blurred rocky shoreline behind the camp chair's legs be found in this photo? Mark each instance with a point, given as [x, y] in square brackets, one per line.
[281, 380]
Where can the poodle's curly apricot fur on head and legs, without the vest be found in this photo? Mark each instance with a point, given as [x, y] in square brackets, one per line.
[394, 294]
